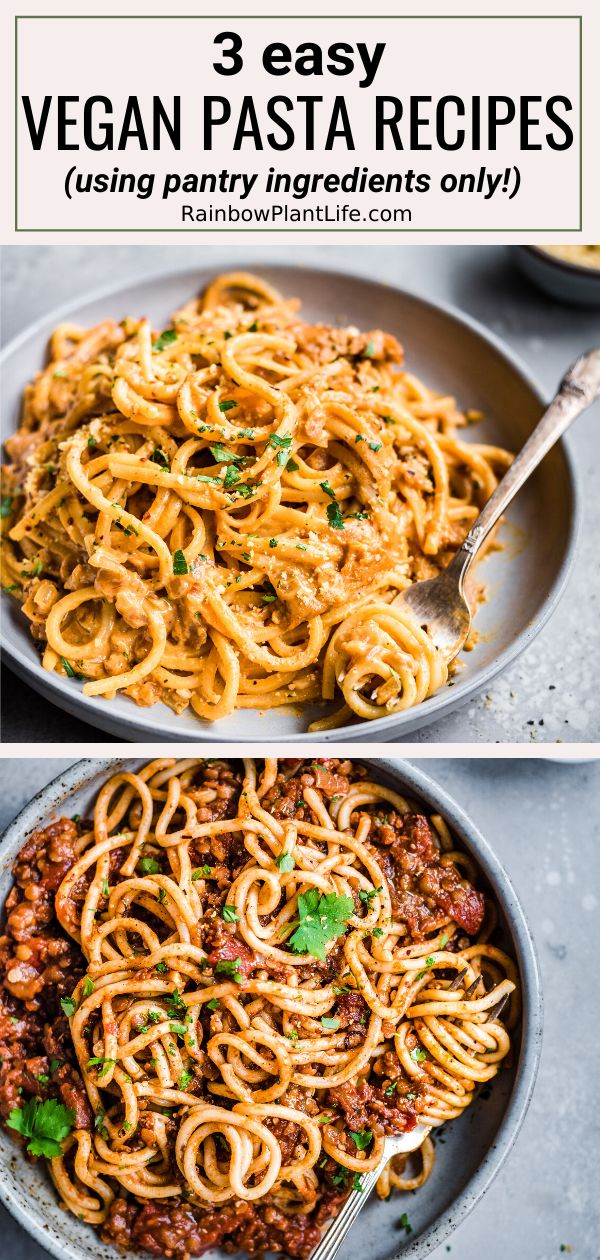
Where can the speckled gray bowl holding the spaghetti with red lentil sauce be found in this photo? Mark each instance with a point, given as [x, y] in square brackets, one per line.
[475, 1147]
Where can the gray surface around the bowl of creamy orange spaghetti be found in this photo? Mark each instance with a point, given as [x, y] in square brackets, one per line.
[482, 282]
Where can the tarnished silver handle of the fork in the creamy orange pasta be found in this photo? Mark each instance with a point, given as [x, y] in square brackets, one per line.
[578, 391]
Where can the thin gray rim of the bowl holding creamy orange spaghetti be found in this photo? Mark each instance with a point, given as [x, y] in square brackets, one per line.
[142, 726]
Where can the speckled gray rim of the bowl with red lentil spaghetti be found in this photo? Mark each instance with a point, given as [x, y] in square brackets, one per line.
[412, 779]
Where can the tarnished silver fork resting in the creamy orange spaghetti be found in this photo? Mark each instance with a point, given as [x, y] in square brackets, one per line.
[439, 604]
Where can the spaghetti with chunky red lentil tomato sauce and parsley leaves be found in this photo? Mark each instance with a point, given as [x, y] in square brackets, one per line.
[224, 991]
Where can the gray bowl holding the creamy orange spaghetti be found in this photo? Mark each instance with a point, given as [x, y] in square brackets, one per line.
[453, 355]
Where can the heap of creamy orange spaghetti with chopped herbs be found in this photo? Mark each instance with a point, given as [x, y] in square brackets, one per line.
[224, 516]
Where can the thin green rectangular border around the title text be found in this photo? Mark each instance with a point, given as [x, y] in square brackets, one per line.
[405, 17]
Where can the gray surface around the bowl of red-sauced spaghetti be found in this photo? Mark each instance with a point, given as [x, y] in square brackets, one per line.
[543, 820]
